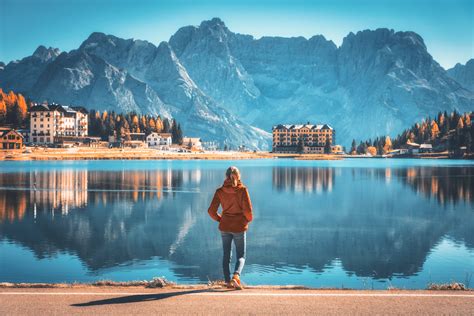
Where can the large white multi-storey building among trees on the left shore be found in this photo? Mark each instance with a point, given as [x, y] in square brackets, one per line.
[49, 122]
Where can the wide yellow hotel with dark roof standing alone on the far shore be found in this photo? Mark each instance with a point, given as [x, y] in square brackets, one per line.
[305, 138]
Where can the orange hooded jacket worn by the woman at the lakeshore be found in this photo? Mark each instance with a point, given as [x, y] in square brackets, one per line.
[236, 207]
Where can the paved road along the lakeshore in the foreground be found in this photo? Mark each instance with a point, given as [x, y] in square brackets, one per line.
[120, 301]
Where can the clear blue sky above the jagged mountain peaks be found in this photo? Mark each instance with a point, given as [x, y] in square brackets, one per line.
[447, 26]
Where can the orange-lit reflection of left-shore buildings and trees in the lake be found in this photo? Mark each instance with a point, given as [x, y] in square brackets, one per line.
[59, 191]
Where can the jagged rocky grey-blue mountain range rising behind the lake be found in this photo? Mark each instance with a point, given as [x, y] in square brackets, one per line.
[232, 88]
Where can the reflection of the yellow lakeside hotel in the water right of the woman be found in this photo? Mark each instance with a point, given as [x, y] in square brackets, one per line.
[302, 179]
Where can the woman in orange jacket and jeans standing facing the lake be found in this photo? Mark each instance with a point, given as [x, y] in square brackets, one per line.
[233, 222]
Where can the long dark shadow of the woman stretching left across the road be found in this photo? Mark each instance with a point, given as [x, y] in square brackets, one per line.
[144, 297]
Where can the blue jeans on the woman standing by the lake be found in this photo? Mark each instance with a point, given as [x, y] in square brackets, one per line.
[240, 244]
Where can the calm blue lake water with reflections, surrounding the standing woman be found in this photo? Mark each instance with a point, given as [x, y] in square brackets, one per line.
[353, 223]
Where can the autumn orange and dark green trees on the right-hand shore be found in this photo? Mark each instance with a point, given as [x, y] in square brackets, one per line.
[444, 132]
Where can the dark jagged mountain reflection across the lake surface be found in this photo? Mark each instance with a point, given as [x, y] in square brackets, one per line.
[374, 225]
